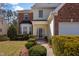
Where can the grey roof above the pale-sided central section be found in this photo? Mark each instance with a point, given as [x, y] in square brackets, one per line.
[45, 5]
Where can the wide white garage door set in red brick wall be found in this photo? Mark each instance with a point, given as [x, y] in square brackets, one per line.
[68, 28]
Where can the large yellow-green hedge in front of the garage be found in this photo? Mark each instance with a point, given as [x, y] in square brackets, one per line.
[65, 45]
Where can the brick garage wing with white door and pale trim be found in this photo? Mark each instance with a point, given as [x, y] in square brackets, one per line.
[64, 20]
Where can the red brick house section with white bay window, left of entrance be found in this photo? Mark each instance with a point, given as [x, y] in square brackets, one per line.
[25, 23]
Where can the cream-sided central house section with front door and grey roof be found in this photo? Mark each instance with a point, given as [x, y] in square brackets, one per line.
[41, 11]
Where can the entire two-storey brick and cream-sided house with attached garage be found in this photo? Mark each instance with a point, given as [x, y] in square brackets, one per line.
[48, 19]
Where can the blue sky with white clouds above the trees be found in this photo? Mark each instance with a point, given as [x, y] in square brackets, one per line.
[18, 6]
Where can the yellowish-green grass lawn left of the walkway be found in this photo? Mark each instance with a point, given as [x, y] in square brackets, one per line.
[11, 48]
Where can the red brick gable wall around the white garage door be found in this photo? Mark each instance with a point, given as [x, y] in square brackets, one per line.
[65, 14]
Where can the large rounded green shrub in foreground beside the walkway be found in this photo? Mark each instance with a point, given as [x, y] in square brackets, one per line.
[37, 50]
